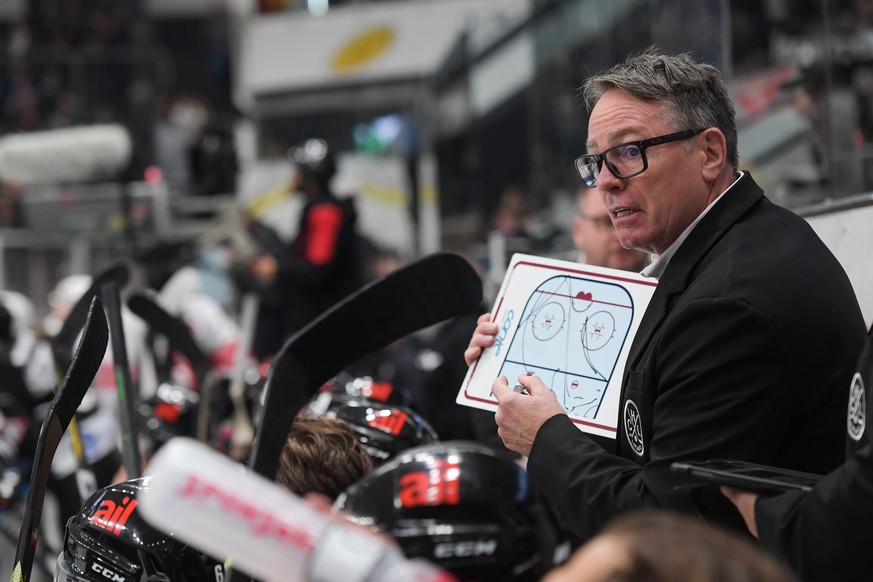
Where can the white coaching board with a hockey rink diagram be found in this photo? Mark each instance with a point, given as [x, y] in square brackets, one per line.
[571, 325]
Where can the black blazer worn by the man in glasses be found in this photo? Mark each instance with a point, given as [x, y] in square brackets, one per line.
[744, 352]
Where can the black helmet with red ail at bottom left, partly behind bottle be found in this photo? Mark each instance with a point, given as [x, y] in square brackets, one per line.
[108, 540]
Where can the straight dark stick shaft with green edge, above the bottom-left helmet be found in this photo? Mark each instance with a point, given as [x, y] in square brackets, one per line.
[126, 397]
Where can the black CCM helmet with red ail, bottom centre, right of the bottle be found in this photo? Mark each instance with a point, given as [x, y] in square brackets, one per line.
[463, 505]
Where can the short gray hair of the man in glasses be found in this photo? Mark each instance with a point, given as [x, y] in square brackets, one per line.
[694, 93]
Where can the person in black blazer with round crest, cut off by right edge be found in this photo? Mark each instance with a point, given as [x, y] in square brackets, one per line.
[826, 534]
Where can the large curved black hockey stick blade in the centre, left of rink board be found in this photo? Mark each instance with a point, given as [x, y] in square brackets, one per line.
[428, 291]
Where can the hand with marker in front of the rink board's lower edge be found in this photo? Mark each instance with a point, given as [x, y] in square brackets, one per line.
[519, 416]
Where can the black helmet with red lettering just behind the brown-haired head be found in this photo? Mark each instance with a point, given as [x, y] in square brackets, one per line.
[382, 428]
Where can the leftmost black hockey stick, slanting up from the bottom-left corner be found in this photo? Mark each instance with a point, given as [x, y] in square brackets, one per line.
[78, 378]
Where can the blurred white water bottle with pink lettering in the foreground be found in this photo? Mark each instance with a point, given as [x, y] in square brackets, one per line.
[213, 503]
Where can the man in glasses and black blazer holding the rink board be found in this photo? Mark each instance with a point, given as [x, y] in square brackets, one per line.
[749, 338]
